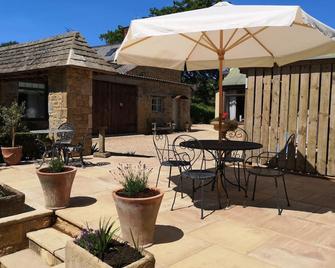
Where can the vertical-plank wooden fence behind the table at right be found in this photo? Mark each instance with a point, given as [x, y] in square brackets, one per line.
[297, 99]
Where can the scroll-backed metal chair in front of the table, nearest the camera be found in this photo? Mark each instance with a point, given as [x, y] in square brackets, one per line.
[195, 170]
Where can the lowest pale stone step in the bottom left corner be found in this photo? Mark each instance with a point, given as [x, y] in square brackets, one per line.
[24, 258]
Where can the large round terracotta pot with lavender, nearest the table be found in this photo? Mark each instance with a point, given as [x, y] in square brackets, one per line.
[137, 204]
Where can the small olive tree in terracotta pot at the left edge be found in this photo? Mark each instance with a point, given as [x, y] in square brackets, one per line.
[11, 119]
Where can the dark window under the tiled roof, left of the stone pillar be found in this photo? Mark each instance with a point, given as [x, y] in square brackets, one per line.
[34, 96]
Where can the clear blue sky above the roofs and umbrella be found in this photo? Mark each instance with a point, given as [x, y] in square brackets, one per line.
[23, 20]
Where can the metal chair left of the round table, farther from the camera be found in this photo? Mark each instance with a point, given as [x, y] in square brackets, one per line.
[165, 154]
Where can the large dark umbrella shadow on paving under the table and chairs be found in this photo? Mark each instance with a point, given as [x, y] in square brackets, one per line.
[307, 194]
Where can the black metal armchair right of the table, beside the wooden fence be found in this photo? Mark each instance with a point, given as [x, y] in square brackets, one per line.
[273, 165]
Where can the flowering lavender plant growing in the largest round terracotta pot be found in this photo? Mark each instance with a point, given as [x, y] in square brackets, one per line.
[133, 179]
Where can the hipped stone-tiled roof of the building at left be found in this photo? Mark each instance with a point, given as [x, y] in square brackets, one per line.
[69, 49]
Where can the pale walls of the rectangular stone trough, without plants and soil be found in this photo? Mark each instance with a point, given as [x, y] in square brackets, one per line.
[78, 257]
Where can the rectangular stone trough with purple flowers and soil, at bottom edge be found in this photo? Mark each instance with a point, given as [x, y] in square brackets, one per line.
[102, 248]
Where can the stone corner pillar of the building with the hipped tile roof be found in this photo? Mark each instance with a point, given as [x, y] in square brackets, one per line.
[70, 100]
